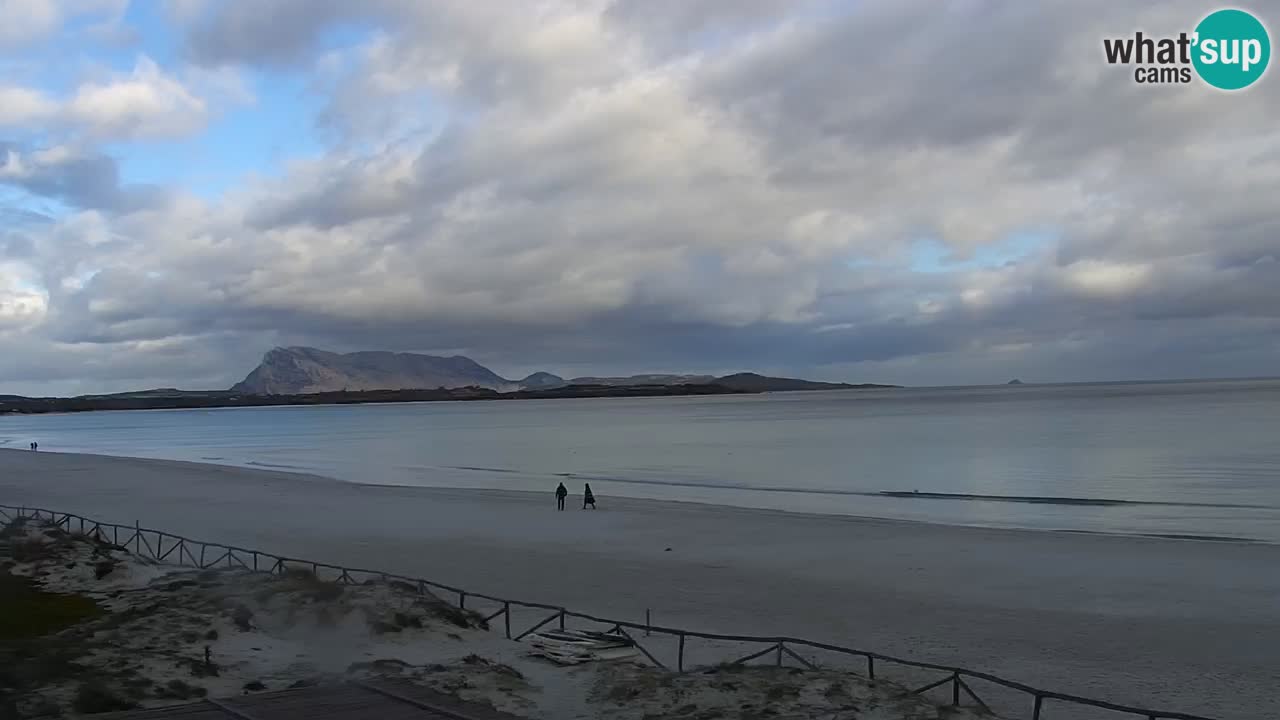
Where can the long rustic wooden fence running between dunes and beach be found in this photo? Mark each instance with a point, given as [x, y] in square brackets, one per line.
[780, 648]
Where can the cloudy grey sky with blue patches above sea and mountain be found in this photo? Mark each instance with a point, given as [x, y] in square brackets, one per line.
[902, 192]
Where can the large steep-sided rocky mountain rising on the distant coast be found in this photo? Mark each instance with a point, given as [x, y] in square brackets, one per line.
[296, 371]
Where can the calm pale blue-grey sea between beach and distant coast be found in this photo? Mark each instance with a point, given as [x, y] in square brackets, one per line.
[1195, 458]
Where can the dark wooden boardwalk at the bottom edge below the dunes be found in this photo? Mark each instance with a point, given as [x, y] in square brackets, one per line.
[346, 701]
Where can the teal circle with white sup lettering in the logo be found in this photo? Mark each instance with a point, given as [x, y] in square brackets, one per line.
[1232, 49]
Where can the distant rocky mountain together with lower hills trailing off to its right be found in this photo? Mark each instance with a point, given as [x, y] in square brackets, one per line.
[303, 371]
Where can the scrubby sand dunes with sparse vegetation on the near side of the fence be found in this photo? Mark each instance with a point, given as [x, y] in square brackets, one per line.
[161, 636]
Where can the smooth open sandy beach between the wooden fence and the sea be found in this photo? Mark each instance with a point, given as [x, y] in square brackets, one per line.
[1176, 625]
